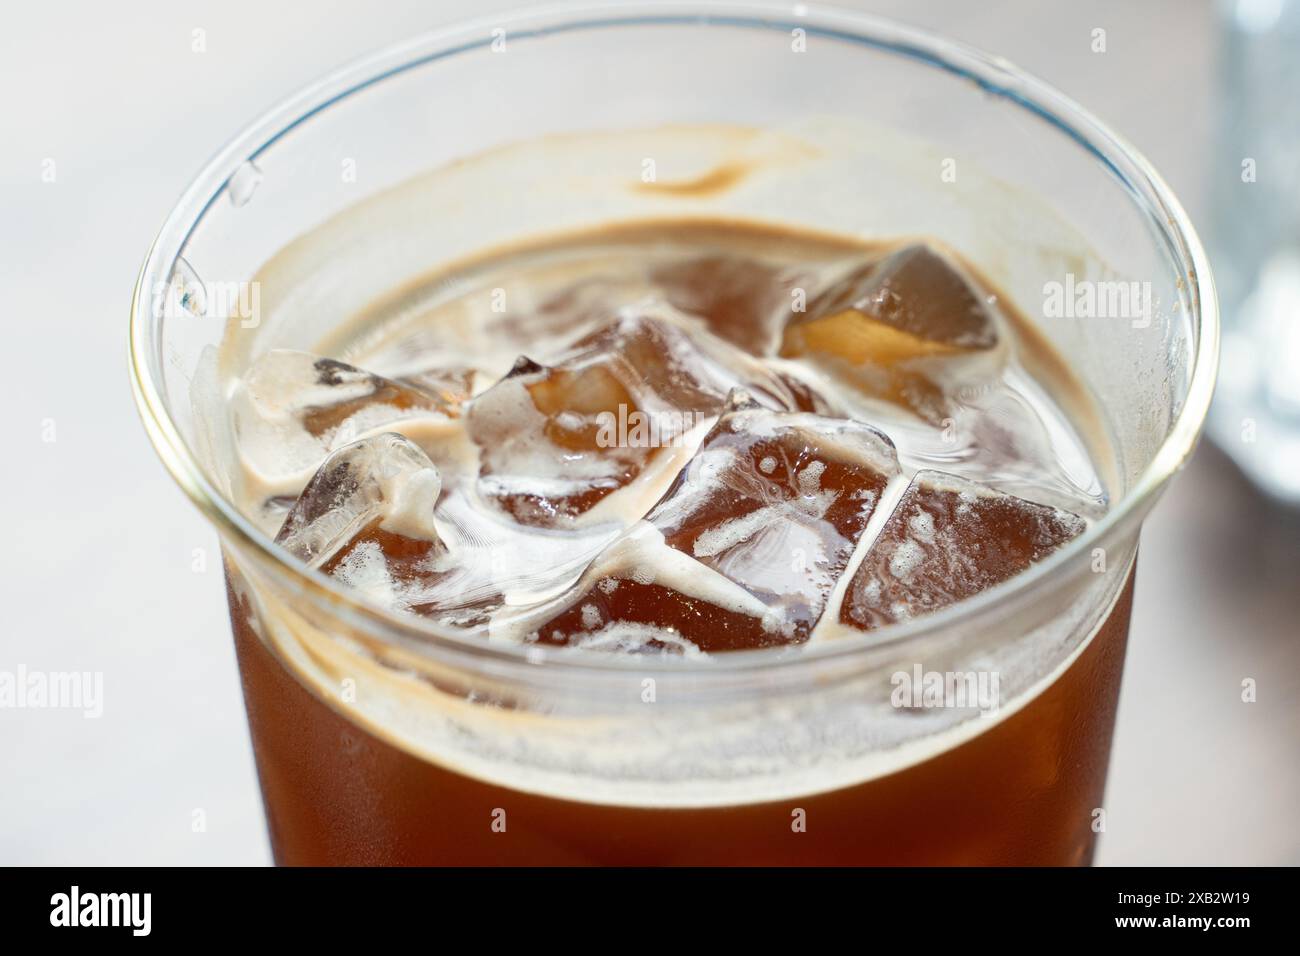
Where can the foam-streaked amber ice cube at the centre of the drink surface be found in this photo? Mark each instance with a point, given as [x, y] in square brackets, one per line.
[622, 409]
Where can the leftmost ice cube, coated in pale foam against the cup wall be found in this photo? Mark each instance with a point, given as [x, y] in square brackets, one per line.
[293, 409]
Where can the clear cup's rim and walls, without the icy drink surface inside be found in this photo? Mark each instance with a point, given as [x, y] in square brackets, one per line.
[380, 739]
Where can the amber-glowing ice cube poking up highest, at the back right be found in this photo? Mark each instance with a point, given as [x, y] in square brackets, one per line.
[911, 328]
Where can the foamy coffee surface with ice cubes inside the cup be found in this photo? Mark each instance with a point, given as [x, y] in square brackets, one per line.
[674, 438]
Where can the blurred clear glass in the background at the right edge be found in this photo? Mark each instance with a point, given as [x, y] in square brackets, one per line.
[1255, 243]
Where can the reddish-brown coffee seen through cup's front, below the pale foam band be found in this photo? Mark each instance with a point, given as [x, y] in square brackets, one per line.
[1021, 794]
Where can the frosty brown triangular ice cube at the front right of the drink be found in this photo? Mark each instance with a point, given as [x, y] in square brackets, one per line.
[950, 539]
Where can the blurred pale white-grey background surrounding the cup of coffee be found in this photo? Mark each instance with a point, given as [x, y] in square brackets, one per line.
[99, 556]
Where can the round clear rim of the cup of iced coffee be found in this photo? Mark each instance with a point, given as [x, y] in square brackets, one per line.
[994, 75]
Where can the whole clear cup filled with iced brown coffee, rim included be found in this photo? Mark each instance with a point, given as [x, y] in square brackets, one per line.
[664, 438]
